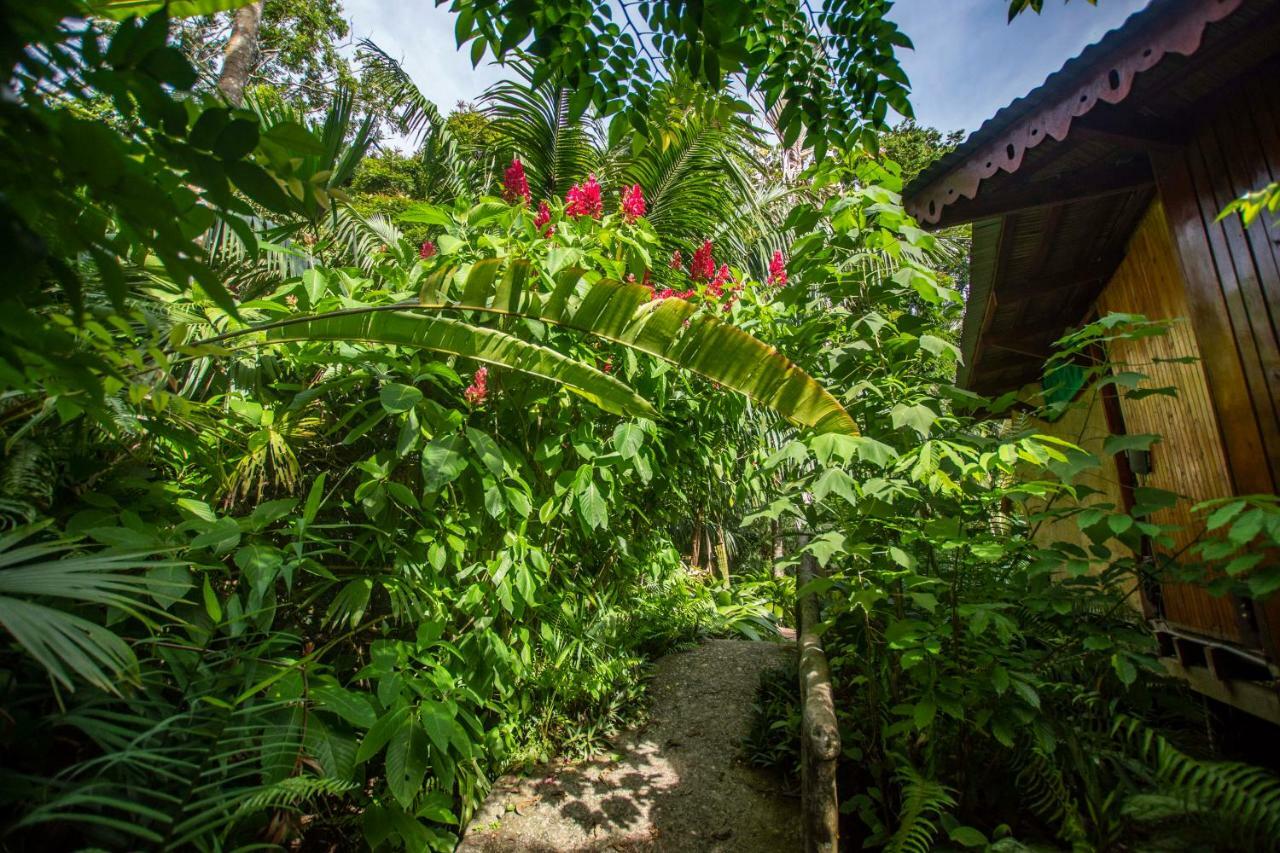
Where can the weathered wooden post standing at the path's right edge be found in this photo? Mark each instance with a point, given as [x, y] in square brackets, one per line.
[820, 733]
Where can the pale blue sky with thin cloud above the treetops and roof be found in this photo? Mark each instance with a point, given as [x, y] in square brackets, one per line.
[967, 63]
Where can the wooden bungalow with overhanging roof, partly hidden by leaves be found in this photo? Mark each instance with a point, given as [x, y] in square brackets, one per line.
[1100, 191]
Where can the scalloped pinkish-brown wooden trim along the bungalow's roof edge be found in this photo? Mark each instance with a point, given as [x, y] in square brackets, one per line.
[1112, 83]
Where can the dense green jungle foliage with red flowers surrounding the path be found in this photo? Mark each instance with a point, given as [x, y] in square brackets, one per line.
[339, 480]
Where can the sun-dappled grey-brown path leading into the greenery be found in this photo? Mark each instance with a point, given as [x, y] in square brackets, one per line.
[679, 784]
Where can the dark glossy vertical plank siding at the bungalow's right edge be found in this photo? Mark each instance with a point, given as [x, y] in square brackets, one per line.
[1233, 291]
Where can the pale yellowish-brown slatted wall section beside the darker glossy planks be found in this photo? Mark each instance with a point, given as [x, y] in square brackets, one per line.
[1190, 459]
